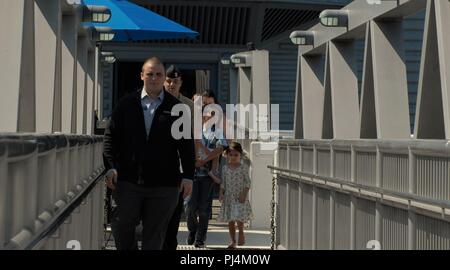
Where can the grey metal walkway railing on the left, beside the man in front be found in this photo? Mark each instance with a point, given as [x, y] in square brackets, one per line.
[50, 194]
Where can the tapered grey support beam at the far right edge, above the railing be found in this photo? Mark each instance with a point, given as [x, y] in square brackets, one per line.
[433, 99]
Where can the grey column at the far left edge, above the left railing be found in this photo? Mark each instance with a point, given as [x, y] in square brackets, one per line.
[17, 105]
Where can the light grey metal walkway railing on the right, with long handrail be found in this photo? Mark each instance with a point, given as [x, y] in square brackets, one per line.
[335, 194]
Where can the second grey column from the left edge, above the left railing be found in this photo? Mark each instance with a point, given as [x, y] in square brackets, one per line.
[47, 34]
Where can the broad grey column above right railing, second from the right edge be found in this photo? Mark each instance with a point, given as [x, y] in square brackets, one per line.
[385, 47]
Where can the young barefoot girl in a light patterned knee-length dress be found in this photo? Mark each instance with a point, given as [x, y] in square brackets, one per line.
[234, 188]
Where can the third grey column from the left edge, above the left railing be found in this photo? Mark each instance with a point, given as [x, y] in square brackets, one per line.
[69, 72]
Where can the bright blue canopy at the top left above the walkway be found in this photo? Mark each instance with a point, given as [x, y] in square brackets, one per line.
[132, 22]
